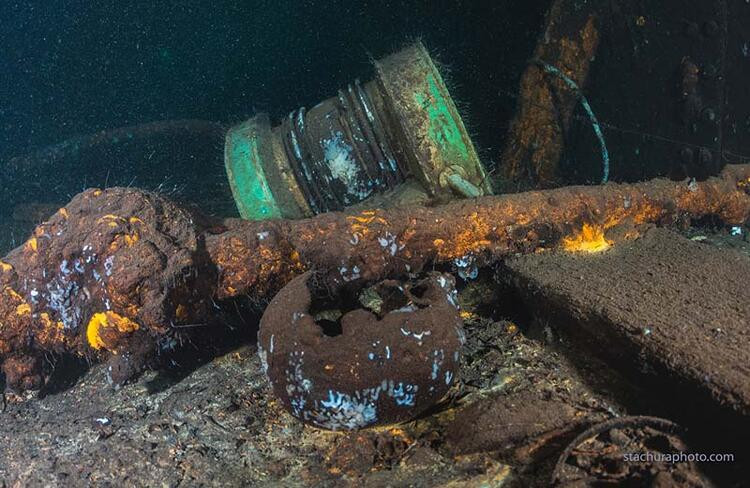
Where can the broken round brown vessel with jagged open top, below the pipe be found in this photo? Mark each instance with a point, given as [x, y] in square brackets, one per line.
[380, 364]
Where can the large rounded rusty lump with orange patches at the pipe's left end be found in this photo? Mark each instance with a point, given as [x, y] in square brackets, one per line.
[105, 277]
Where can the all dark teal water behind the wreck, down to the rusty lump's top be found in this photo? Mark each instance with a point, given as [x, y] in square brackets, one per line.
[71, 68]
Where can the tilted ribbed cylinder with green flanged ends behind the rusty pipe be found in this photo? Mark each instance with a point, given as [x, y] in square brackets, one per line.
[399, 134]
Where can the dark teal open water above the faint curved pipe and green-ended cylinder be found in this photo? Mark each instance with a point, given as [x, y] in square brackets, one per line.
[73, 67]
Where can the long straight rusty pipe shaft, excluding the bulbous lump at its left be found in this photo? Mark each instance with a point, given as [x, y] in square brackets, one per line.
[254, 258]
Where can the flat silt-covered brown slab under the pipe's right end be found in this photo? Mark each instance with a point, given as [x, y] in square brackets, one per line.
[662, 310]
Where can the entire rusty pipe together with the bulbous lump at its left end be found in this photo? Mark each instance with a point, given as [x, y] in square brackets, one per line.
[120, 274]
